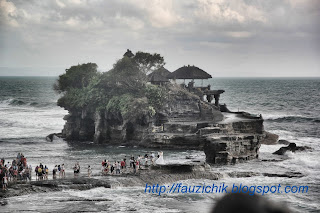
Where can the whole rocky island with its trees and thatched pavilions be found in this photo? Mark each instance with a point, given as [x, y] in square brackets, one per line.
[125, 106]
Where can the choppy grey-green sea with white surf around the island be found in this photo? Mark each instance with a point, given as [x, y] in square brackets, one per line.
[290, 107]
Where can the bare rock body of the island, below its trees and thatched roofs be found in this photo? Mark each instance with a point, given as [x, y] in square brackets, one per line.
[185, 121]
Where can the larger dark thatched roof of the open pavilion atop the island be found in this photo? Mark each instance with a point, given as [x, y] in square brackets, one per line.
[189, 72]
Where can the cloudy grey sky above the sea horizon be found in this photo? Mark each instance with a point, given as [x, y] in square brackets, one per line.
[226, 38]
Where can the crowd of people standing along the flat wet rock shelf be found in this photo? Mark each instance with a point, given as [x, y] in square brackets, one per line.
[18, 169]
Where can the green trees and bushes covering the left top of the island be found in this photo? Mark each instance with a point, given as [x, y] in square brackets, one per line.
[122, 90]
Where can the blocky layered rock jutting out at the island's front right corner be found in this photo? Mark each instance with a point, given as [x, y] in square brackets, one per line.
[238, 141]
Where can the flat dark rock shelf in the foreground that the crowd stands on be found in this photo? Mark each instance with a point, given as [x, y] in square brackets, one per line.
[155, 175]
